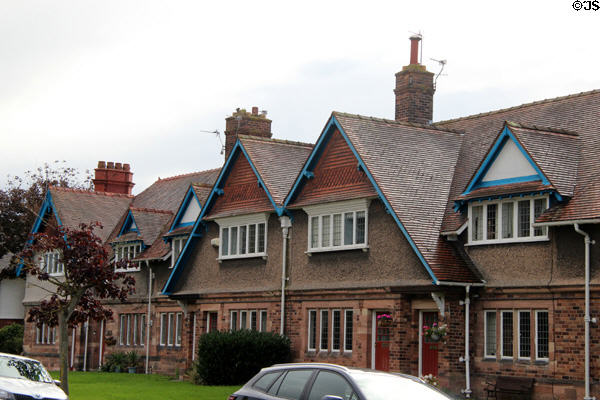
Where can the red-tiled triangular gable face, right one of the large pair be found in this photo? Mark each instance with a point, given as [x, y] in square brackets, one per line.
[336, 176]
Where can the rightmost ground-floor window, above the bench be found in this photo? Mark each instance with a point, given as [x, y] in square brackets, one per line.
[523, 334]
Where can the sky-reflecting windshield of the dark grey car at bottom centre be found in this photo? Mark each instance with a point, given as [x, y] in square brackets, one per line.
[380, 386]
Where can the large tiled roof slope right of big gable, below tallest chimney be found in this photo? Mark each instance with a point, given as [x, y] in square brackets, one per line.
[413, 165]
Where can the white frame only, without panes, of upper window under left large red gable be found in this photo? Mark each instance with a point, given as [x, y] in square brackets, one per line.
[238, 222]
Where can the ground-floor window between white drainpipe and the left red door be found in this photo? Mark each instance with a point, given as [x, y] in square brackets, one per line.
[331, 329]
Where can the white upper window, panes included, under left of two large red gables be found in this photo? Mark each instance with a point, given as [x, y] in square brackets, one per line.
[243, 237]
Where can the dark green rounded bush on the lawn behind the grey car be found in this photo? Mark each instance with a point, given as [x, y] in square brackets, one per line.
[232, 358]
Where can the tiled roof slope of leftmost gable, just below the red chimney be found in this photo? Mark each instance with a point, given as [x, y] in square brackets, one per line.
[76, 206]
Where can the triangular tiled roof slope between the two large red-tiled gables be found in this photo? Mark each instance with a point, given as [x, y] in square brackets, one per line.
[278, 162]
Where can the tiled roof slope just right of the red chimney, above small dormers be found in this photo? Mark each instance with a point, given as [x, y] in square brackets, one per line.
[166, 194]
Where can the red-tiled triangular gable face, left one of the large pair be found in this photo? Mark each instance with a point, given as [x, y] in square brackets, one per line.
[241, 192]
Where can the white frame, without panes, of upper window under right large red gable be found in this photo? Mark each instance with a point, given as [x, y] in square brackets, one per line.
[330, 209]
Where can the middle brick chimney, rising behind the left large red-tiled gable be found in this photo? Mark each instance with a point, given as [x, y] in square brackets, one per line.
[242, 122]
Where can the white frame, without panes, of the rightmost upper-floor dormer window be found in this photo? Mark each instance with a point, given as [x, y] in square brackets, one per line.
[515, 223]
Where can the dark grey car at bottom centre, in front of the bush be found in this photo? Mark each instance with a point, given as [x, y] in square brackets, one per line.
[314, 381]
